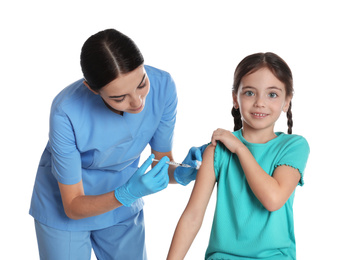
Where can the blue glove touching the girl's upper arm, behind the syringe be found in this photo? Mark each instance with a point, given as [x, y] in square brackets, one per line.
[185, 175]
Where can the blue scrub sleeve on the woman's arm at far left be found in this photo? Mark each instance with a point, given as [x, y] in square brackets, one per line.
[65, 157]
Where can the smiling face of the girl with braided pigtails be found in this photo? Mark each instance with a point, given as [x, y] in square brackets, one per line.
[261, 98]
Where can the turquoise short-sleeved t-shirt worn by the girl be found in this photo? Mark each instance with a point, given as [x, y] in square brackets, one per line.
[242, 228]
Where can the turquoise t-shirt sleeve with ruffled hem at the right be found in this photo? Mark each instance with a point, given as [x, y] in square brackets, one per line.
[295, 154]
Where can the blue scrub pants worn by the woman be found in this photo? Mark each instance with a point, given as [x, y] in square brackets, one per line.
[125, 240]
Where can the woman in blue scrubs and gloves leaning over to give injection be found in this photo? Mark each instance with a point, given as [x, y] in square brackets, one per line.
[88, 189]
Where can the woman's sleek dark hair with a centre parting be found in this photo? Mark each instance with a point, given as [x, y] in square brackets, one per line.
[106, 55]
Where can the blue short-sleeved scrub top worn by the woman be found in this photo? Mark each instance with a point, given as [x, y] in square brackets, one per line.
[89, 142]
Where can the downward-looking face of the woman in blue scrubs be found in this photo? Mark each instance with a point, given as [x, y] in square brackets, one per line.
[127, 93]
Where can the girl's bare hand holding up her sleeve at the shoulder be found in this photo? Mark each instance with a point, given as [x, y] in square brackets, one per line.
[227, 138]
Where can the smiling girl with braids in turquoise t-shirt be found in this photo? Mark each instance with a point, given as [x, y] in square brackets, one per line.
[256, 169]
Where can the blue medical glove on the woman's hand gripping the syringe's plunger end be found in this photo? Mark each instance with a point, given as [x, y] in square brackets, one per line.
[142, 184]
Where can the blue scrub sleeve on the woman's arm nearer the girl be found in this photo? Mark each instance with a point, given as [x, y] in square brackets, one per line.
[163, 137]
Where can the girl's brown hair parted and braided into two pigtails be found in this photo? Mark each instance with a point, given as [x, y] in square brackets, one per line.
[280, 70]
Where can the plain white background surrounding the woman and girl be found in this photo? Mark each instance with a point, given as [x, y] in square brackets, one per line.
[199, 43]
